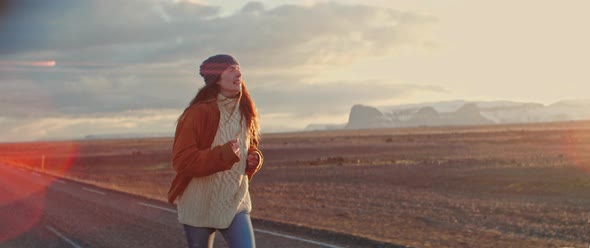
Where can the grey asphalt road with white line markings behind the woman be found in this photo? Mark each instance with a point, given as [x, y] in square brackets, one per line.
[38, 210]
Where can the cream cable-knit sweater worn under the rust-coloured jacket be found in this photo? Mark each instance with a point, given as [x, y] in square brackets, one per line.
[214, 200]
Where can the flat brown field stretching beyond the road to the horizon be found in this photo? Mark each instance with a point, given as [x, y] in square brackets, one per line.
[489, 186]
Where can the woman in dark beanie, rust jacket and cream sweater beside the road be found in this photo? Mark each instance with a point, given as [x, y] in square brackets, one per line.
[215, 155]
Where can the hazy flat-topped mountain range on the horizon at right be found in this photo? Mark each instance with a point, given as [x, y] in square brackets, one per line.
[460, 112]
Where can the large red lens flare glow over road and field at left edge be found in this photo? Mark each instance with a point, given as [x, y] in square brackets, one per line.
[24, 178]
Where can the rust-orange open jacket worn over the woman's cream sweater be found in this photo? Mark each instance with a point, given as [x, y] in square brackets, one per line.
[192, 154]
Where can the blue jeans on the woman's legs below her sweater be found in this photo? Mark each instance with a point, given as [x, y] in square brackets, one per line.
[239, 234]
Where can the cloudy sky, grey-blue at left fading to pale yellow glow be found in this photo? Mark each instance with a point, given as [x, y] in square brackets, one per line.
[71, 68]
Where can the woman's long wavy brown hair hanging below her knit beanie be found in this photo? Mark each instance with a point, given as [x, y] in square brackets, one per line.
[248, 110]
